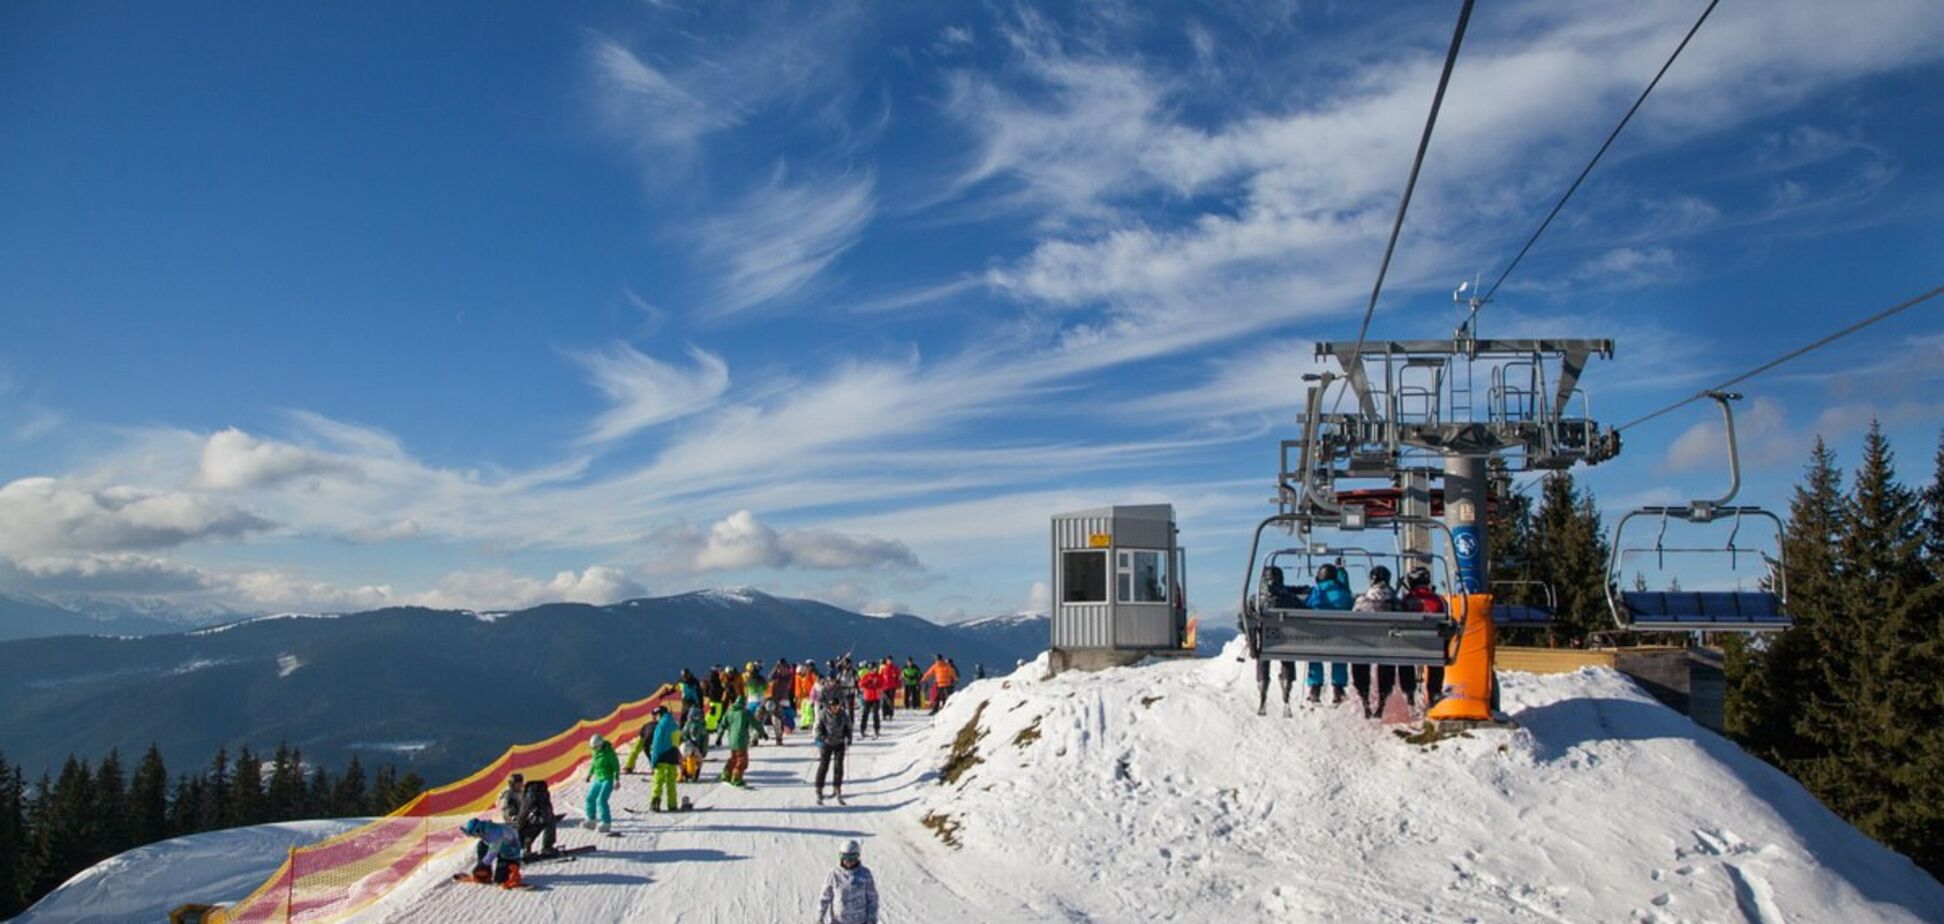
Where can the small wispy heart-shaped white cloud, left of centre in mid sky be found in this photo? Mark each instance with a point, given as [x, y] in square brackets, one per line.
[646, 392]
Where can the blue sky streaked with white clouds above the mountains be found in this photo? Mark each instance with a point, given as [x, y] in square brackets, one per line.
[493, 304]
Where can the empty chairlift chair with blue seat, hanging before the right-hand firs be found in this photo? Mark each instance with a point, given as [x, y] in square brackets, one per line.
[1702, 612]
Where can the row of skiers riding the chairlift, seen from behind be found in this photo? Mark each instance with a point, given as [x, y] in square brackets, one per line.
[1333, 592]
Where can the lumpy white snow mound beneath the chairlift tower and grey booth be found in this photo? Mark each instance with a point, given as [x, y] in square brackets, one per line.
[1158, 795]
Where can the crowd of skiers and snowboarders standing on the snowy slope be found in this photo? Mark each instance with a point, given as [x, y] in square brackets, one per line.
[732, 709]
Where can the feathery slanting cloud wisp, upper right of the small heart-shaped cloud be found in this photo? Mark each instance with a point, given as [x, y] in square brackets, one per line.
[779, 238]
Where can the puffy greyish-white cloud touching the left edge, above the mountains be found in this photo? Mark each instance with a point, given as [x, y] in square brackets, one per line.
[53, 516]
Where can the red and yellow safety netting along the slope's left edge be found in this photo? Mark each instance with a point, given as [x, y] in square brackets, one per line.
[339, 876]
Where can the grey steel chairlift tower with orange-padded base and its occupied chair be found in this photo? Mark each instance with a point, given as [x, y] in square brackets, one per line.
[1414, 419]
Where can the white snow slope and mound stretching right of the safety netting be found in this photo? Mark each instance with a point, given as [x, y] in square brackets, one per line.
[1156, 795]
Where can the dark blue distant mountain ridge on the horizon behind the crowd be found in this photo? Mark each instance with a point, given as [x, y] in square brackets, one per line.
[442, 692]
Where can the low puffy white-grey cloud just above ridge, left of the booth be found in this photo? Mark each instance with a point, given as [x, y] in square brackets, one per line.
[742, 542]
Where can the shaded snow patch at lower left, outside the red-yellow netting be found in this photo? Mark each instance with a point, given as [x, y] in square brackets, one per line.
[149, 882]
